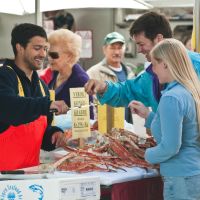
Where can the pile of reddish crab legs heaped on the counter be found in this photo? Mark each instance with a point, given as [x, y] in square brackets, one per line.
[110, 152]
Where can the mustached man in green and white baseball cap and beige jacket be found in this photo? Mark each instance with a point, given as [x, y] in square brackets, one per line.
[111, 67]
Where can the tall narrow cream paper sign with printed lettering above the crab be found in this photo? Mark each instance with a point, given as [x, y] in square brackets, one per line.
[80, 116]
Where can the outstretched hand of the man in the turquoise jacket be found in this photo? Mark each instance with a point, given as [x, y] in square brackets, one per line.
[95, 86]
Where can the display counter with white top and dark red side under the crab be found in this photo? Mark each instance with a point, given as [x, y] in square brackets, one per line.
[131, 184]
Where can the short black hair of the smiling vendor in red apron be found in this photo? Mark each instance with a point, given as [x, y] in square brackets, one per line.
[22, 34]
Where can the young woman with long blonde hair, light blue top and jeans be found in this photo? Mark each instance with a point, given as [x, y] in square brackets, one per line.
[176, 124]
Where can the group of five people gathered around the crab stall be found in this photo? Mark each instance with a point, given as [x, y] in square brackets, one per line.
[169, 86]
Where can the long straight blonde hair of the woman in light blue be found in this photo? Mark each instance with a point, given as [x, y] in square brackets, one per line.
[174, 54]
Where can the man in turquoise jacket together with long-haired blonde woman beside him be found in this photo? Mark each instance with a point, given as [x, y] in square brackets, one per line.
[174, 120]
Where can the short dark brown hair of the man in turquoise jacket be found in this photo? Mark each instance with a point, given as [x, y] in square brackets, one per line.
[151, 23]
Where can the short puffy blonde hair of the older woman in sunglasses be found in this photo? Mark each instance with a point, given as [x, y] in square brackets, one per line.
[70, 42]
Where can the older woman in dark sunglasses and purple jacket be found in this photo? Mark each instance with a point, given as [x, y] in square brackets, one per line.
[63, 55]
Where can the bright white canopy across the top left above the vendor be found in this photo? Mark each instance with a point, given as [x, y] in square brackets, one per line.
[20, 7]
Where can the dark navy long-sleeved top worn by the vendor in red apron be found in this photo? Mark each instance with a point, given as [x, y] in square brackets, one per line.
[16, 110]
